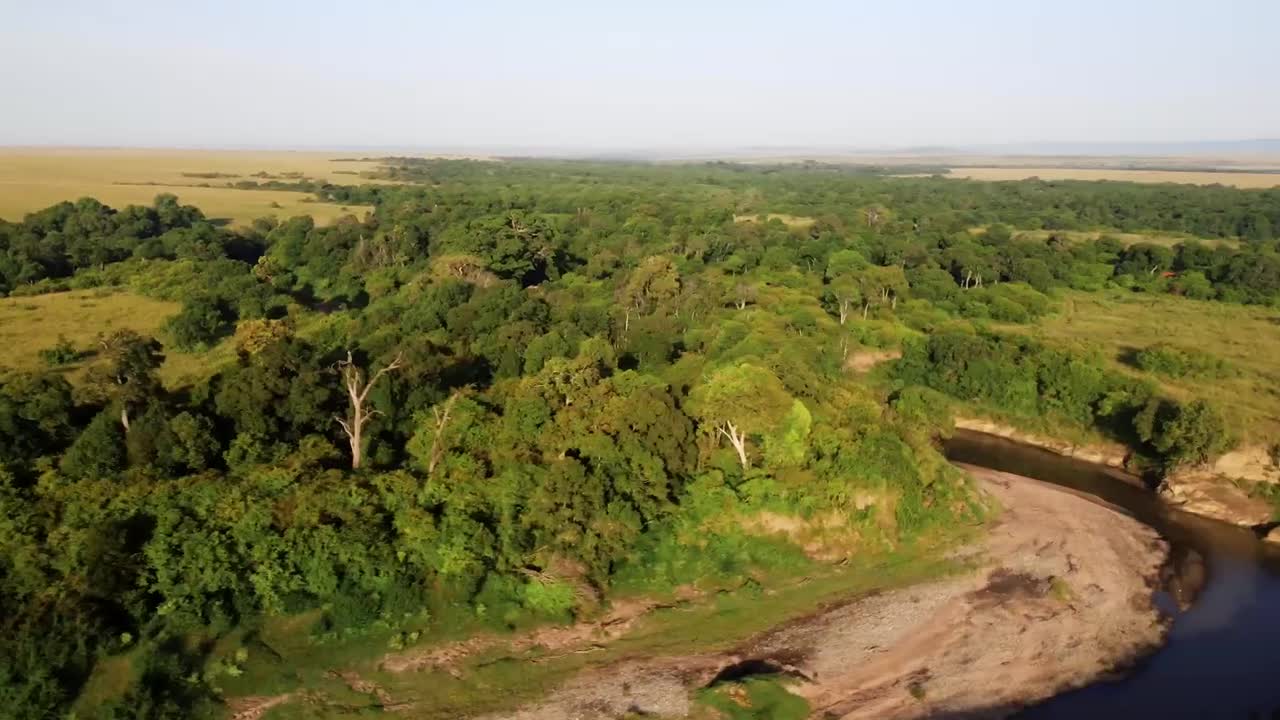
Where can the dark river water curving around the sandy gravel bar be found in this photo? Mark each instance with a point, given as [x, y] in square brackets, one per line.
[1223, 654]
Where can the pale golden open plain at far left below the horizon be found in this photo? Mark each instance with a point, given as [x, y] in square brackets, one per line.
[36, 179]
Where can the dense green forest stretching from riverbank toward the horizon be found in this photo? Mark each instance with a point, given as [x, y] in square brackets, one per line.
[514, 393]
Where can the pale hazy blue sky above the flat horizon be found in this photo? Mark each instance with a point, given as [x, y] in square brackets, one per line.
[476, 75]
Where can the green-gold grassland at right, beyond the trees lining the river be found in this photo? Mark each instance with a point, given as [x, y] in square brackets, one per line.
[1119, 322]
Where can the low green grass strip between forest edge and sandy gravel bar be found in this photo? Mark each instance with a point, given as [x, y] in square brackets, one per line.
[502, 678]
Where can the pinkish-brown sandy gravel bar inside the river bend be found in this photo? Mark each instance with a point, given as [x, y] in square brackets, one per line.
[1063, 600]
